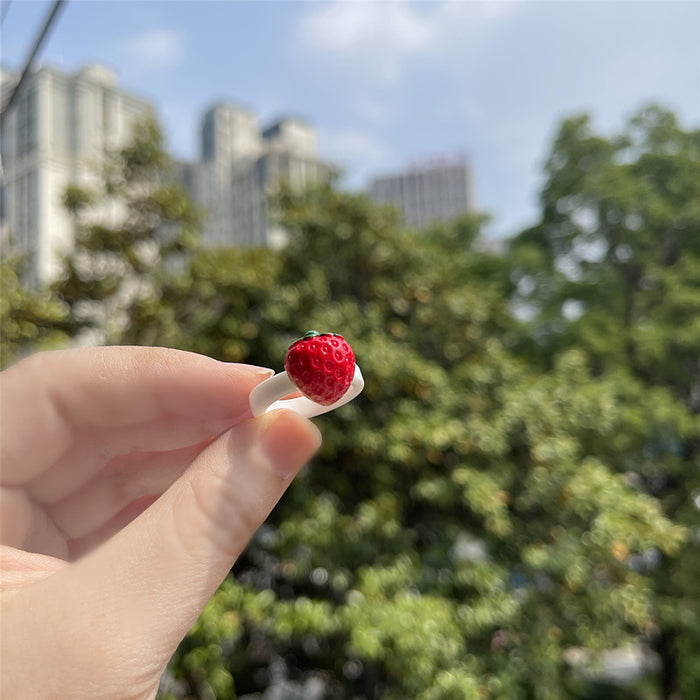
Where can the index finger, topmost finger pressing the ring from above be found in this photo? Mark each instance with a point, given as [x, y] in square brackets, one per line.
[50, 401]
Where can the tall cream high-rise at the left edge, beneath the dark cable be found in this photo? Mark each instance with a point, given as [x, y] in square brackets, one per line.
[57, 132]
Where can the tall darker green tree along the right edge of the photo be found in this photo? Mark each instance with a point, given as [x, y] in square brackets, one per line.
[613, 267]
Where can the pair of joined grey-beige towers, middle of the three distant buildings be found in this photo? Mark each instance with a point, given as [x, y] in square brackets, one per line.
[239, 167]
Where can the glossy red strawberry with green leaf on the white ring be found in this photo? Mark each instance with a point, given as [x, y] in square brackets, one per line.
[321, 365]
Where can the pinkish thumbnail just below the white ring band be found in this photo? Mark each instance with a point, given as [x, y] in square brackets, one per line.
[288, 441]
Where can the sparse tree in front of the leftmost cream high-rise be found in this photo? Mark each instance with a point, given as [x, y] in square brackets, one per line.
[132, 227]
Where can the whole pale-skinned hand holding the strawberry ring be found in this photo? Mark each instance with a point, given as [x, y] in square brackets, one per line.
[131, 479]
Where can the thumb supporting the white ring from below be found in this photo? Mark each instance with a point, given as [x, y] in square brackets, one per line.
[143, 589]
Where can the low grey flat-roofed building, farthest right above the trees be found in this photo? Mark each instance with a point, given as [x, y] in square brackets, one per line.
[440, 191]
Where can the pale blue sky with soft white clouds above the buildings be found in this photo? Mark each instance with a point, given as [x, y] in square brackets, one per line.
[388, 83]
